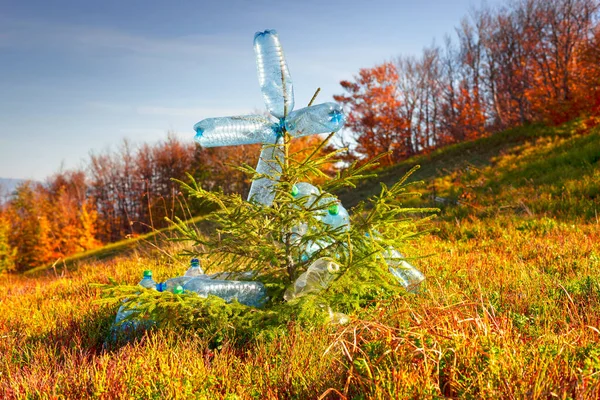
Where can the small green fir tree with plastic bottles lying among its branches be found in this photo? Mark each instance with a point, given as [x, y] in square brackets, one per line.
[249, 236]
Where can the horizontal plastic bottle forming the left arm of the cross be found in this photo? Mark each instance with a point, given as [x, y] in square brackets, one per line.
[232, 131]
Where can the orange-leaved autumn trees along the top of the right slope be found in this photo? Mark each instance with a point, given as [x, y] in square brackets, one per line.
[527, 61]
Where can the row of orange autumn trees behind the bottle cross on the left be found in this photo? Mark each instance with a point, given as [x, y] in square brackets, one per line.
[119, 193]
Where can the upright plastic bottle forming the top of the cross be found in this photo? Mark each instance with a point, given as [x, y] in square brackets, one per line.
[273, 74]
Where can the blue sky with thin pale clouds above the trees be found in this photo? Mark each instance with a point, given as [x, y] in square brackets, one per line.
[81, 75]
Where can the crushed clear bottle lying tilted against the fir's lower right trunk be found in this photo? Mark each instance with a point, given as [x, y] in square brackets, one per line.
[316, 278]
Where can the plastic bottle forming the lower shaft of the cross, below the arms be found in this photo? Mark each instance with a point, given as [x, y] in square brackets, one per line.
[262, 189]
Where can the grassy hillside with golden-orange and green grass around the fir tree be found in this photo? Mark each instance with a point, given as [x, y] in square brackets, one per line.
[510, 309]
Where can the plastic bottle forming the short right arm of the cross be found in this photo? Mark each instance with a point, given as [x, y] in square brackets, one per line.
[322, 118]
